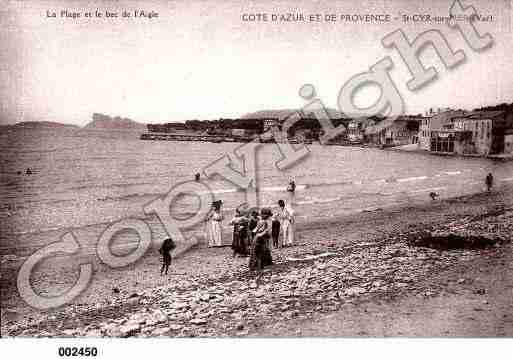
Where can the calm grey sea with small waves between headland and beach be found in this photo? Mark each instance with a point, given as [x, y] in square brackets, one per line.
[84, 177]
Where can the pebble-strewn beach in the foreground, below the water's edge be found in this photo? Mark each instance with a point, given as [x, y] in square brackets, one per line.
[341, 270]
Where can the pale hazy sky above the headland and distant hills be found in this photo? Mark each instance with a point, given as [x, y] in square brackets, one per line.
[200, 60]
